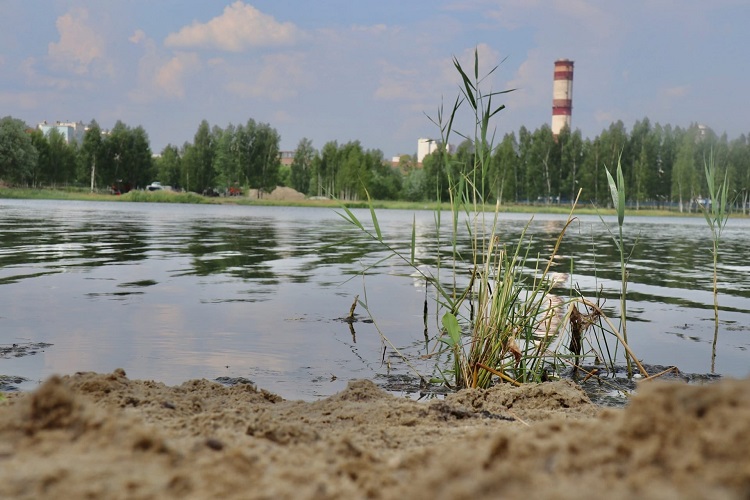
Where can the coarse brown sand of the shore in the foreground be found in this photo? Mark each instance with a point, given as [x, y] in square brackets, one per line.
[106, 436]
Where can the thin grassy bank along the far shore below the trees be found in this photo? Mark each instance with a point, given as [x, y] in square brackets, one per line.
[82, 194]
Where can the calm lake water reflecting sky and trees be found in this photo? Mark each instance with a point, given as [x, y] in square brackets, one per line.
[174, 292]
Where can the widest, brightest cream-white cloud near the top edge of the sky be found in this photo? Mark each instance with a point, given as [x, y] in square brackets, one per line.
[238, 28]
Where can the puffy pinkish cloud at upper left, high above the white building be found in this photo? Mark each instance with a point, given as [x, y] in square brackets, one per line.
[79, 46]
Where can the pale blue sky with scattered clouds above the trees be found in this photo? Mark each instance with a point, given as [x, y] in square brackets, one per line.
[372, 71]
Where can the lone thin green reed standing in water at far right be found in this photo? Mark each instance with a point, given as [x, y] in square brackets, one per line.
[717, 215]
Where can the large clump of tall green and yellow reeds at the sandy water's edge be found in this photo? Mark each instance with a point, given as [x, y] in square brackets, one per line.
[504, 321]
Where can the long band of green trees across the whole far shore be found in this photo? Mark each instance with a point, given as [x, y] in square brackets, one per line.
[663, 165]
